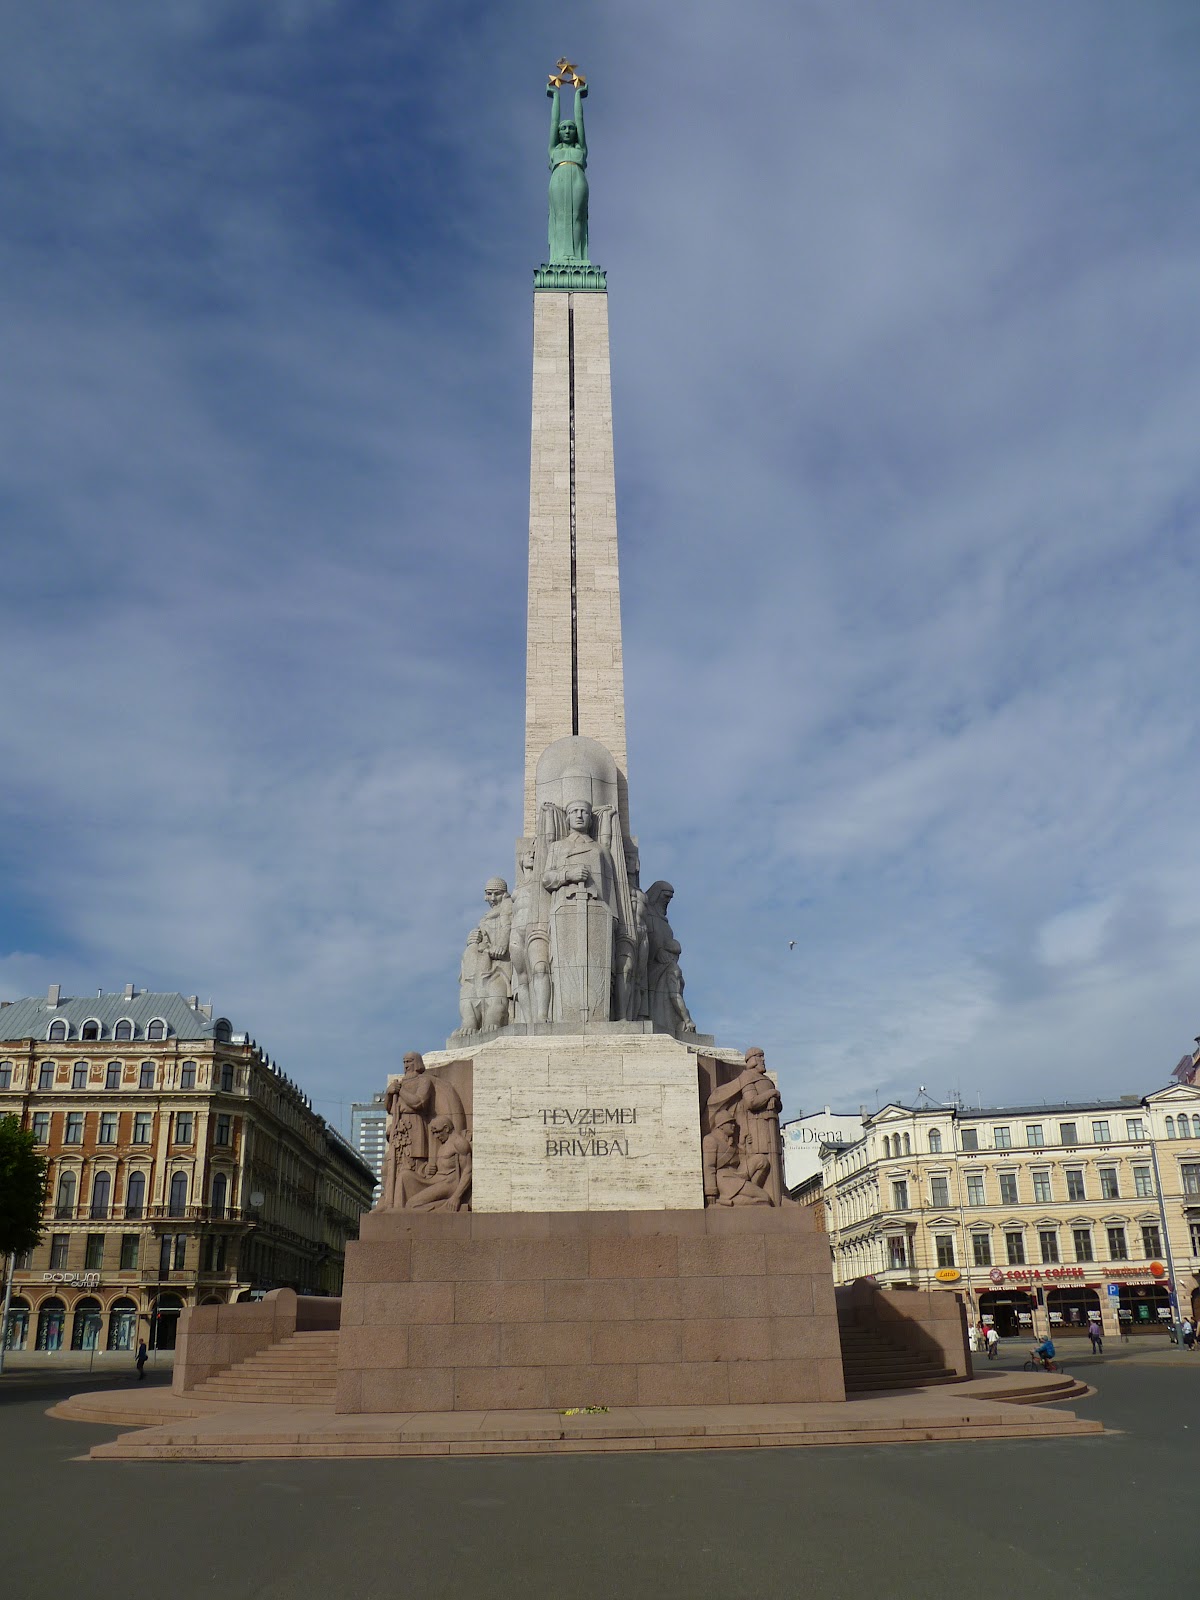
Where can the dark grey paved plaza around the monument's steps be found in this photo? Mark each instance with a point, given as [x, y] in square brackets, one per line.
[1082, 1518]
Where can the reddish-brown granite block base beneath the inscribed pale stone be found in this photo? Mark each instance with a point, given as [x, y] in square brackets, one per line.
[466, 1311]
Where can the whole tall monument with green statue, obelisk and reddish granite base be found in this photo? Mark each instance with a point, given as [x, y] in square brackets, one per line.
[583, 1196]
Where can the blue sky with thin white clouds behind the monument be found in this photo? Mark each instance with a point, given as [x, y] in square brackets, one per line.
[906, 378]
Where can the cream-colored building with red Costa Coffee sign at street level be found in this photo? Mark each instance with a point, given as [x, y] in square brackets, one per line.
[1039, 1215]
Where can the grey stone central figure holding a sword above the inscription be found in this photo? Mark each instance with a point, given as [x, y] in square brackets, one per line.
[585, 874]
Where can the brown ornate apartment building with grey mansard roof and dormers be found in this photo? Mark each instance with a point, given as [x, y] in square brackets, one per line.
[185, 1169]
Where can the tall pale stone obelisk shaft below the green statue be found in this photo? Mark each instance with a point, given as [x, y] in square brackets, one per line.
[574, 671]
